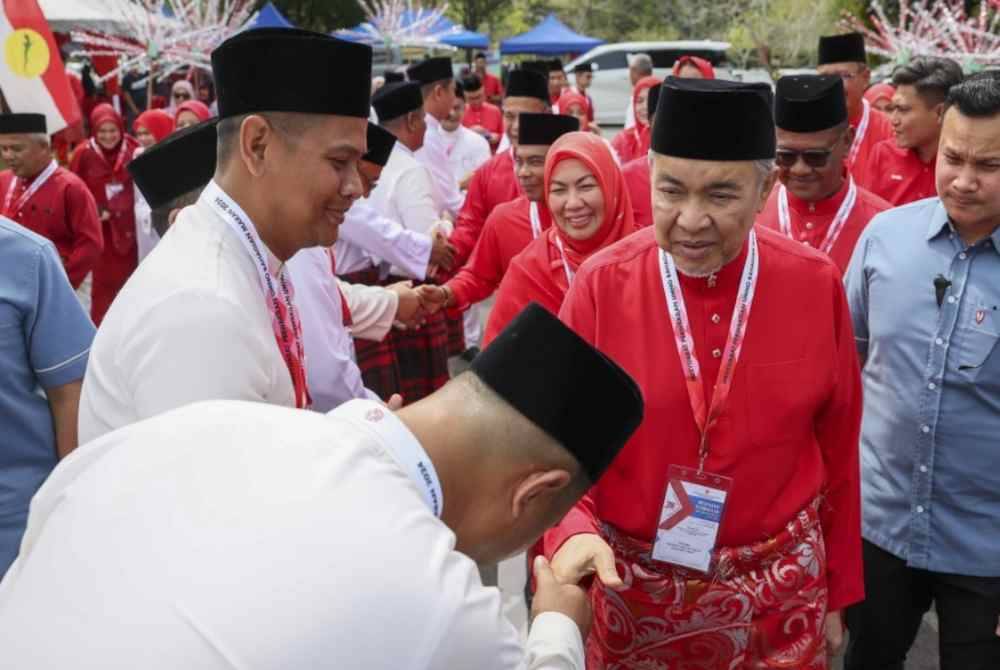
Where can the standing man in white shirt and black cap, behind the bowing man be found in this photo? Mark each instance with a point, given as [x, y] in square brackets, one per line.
[211, 313]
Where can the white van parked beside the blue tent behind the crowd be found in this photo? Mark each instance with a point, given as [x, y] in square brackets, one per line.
[612, 90]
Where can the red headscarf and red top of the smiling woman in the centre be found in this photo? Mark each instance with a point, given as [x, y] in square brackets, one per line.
[537, 274]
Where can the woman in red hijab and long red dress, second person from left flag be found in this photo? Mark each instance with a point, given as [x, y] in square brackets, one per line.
[101, 163]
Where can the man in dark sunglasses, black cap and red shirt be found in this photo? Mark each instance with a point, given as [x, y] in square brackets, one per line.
[817, 202]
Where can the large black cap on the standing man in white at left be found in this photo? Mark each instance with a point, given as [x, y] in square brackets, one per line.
[291, 70]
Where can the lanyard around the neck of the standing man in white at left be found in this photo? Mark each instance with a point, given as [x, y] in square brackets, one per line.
[290, 343]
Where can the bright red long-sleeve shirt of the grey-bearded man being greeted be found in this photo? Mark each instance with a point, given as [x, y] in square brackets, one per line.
[789, 432]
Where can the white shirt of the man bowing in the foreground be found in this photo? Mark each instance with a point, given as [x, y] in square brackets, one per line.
[228, 535]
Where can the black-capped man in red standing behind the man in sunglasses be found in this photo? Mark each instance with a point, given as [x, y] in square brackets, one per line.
[845, 56]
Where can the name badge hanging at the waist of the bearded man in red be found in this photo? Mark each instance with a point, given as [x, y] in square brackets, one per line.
[690, 518]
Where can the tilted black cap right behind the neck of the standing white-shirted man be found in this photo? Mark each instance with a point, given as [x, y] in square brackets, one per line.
[183, 162]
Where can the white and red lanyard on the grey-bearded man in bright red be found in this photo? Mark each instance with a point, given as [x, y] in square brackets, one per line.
[706, 417]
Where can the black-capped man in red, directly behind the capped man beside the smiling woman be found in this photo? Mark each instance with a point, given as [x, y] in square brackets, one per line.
[496, 182]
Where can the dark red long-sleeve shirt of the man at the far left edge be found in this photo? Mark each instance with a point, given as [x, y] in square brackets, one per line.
[63, 211]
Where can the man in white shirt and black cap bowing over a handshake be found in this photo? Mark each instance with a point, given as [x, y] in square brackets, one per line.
[228, 533]
